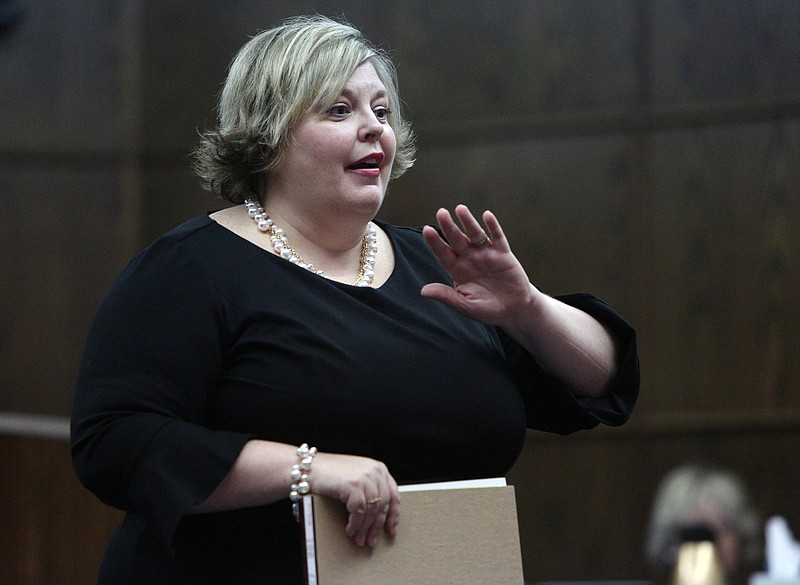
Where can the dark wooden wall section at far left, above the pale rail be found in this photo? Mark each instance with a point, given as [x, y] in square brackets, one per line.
[68, 160]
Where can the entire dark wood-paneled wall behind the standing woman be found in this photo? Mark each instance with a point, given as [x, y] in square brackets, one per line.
[647, 151]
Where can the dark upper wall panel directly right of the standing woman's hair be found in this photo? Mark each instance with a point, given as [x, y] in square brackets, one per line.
[483, 61]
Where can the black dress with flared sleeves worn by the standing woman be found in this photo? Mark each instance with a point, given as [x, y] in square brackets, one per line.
[206, 341]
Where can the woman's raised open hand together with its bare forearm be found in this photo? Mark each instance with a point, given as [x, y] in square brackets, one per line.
[490, 285]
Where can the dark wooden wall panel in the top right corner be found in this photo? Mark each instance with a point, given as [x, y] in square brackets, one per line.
[743, 50]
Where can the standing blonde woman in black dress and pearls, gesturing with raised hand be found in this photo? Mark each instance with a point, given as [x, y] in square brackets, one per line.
[414, 355]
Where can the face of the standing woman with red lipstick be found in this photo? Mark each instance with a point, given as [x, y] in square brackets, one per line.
[340, 161]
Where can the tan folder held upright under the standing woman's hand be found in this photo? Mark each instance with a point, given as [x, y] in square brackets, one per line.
[465, 536]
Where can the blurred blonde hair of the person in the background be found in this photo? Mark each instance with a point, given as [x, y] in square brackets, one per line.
[688, 490]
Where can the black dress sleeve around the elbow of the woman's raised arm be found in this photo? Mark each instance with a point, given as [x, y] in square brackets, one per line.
[549, 404]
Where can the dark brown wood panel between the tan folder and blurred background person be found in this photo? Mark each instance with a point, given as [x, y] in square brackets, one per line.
[580, 512]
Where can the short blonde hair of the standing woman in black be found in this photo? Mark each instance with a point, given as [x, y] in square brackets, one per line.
[278, 77]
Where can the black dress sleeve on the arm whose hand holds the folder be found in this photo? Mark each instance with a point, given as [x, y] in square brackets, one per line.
[140, 436]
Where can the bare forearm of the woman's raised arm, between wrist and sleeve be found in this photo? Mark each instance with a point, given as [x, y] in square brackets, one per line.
[566, 342]
